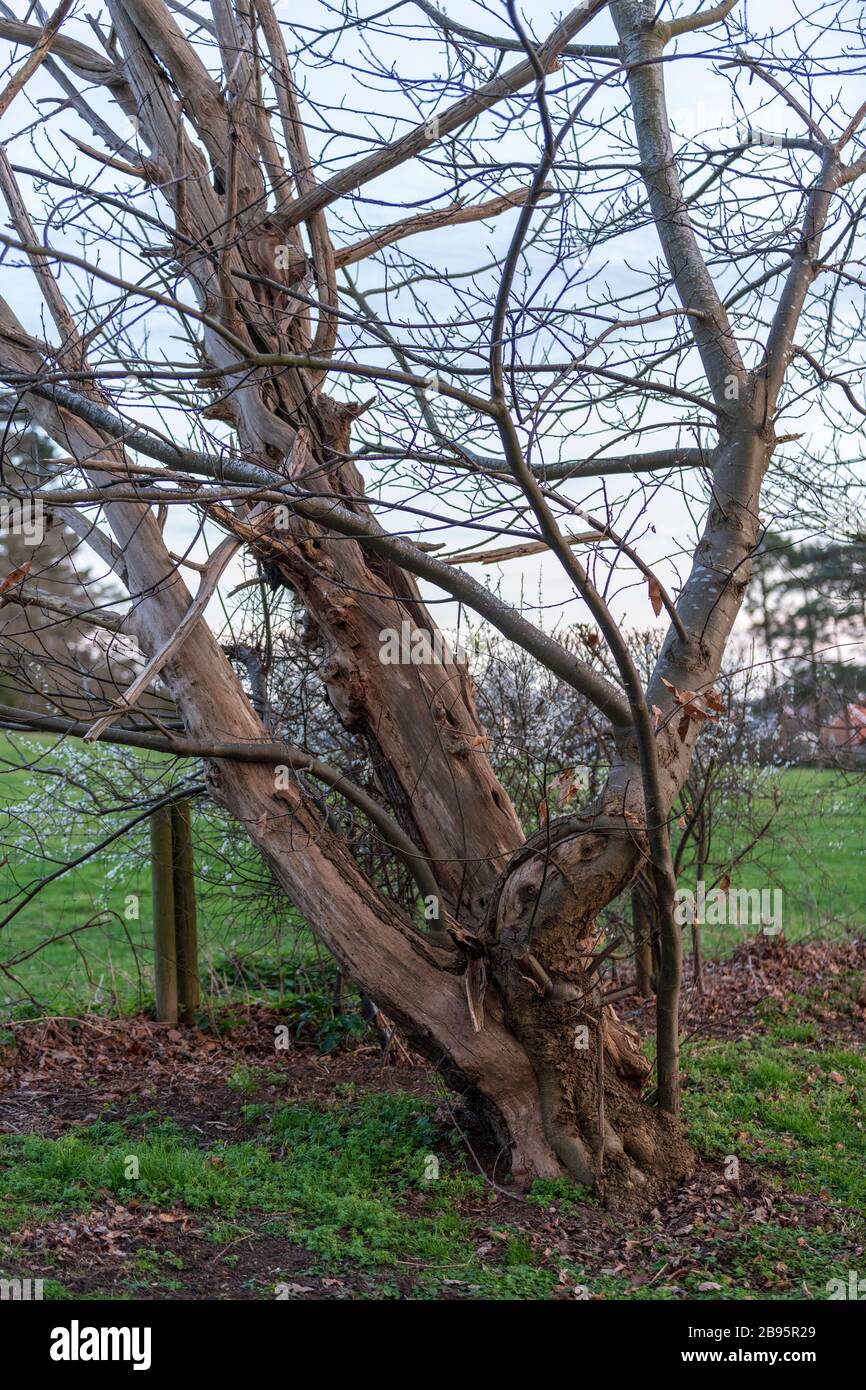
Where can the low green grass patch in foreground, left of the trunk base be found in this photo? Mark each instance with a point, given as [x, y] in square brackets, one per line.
[347, 1182]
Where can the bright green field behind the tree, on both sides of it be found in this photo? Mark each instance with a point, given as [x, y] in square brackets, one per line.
[817, 857]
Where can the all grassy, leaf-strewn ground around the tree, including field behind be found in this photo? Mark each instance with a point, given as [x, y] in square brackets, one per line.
[142, 1163]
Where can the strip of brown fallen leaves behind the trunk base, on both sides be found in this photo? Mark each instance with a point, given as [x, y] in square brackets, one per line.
[62, 1072]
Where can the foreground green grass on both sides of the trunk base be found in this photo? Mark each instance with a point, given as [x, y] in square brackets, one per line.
[350, 1184]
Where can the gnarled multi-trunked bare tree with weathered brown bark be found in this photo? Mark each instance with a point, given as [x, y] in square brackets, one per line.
[621, 284]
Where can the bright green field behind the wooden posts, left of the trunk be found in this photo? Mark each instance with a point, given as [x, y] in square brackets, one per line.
[95, 921]
